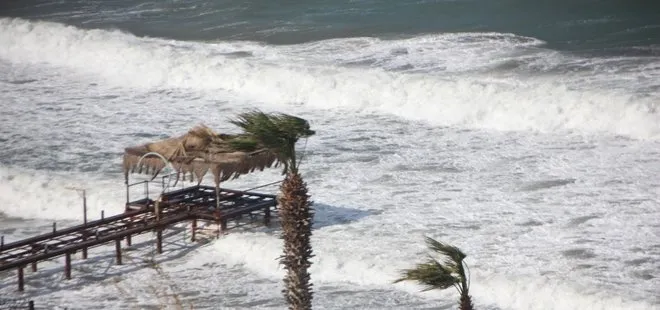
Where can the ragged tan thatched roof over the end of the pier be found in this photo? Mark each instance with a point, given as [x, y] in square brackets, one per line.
[199, 151]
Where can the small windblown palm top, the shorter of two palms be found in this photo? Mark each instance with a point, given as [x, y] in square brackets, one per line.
[448, 272]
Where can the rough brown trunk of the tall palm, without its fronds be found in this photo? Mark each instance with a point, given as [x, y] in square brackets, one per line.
[296, 216]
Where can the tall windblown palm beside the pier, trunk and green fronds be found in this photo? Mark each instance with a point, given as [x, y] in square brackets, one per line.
[279, 133]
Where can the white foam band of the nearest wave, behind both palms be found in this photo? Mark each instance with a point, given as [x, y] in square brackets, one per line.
[334, 263]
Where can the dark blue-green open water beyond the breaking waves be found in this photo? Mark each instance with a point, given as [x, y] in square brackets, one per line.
[606, 26]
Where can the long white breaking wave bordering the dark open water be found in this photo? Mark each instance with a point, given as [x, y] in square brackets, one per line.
[281, 76]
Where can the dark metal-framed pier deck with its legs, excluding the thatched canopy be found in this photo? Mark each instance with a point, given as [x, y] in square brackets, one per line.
[224, 207]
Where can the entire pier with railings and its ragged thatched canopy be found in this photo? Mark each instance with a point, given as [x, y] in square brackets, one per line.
[190, 157]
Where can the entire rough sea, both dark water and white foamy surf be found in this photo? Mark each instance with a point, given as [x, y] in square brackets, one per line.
[524, 132]
